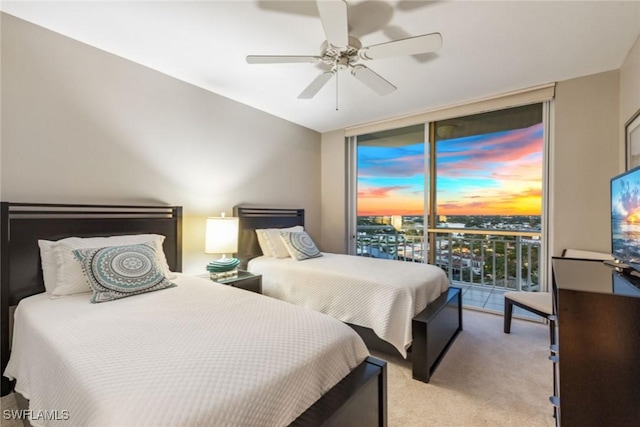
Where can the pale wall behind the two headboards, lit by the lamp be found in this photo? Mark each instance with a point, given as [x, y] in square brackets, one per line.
[80, 125]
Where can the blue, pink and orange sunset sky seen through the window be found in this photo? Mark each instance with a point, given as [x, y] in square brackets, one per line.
[493, 174]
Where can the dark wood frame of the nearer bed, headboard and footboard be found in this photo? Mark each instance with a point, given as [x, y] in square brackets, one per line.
[359, 399]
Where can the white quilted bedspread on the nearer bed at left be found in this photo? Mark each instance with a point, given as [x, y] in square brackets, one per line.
[199, 354]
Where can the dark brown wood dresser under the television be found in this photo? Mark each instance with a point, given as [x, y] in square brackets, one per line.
[597, 356]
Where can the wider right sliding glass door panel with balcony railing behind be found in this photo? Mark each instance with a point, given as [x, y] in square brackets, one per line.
[488, 200]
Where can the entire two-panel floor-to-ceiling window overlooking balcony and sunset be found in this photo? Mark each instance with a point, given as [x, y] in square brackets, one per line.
[470, 203]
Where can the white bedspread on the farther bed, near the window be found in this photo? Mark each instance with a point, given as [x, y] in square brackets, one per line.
[383, 295]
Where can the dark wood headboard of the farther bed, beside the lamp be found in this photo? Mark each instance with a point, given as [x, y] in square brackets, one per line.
[252, 218]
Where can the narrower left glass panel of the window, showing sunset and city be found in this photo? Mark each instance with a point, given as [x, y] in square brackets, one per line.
[390, 191]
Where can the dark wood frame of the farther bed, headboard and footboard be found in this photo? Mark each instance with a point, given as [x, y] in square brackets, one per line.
[434, 329]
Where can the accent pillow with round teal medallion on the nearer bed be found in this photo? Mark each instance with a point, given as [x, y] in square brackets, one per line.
[116, 272]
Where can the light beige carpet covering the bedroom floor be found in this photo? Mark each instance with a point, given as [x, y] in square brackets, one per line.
[488, 378]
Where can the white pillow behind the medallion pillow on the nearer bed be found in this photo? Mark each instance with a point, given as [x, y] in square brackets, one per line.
[70, 278]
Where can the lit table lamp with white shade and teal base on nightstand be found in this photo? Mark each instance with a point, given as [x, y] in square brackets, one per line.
[222, 238]
